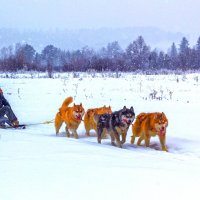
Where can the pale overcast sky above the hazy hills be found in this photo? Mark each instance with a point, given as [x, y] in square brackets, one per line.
[170, 15]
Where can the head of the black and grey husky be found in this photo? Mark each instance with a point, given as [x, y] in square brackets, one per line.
[127, 115]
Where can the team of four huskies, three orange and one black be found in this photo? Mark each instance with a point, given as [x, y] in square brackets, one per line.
[116, 124]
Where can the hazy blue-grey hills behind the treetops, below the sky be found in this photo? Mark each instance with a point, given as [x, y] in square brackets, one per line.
[94, 38]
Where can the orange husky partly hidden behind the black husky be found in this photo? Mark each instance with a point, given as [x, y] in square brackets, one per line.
[89, 117]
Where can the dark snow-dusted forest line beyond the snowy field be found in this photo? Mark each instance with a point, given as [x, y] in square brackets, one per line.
[138, 56]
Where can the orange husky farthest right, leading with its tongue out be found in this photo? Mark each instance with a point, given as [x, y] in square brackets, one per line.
[150, 124]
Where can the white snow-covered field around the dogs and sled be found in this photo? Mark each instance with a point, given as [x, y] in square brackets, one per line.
[37, 165]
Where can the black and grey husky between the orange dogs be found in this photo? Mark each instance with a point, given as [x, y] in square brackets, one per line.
[115, 124]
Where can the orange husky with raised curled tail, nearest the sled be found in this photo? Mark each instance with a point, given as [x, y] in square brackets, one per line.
[72, 116]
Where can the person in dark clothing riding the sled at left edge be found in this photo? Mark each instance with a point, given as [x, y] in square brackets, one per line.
[7, 115]
